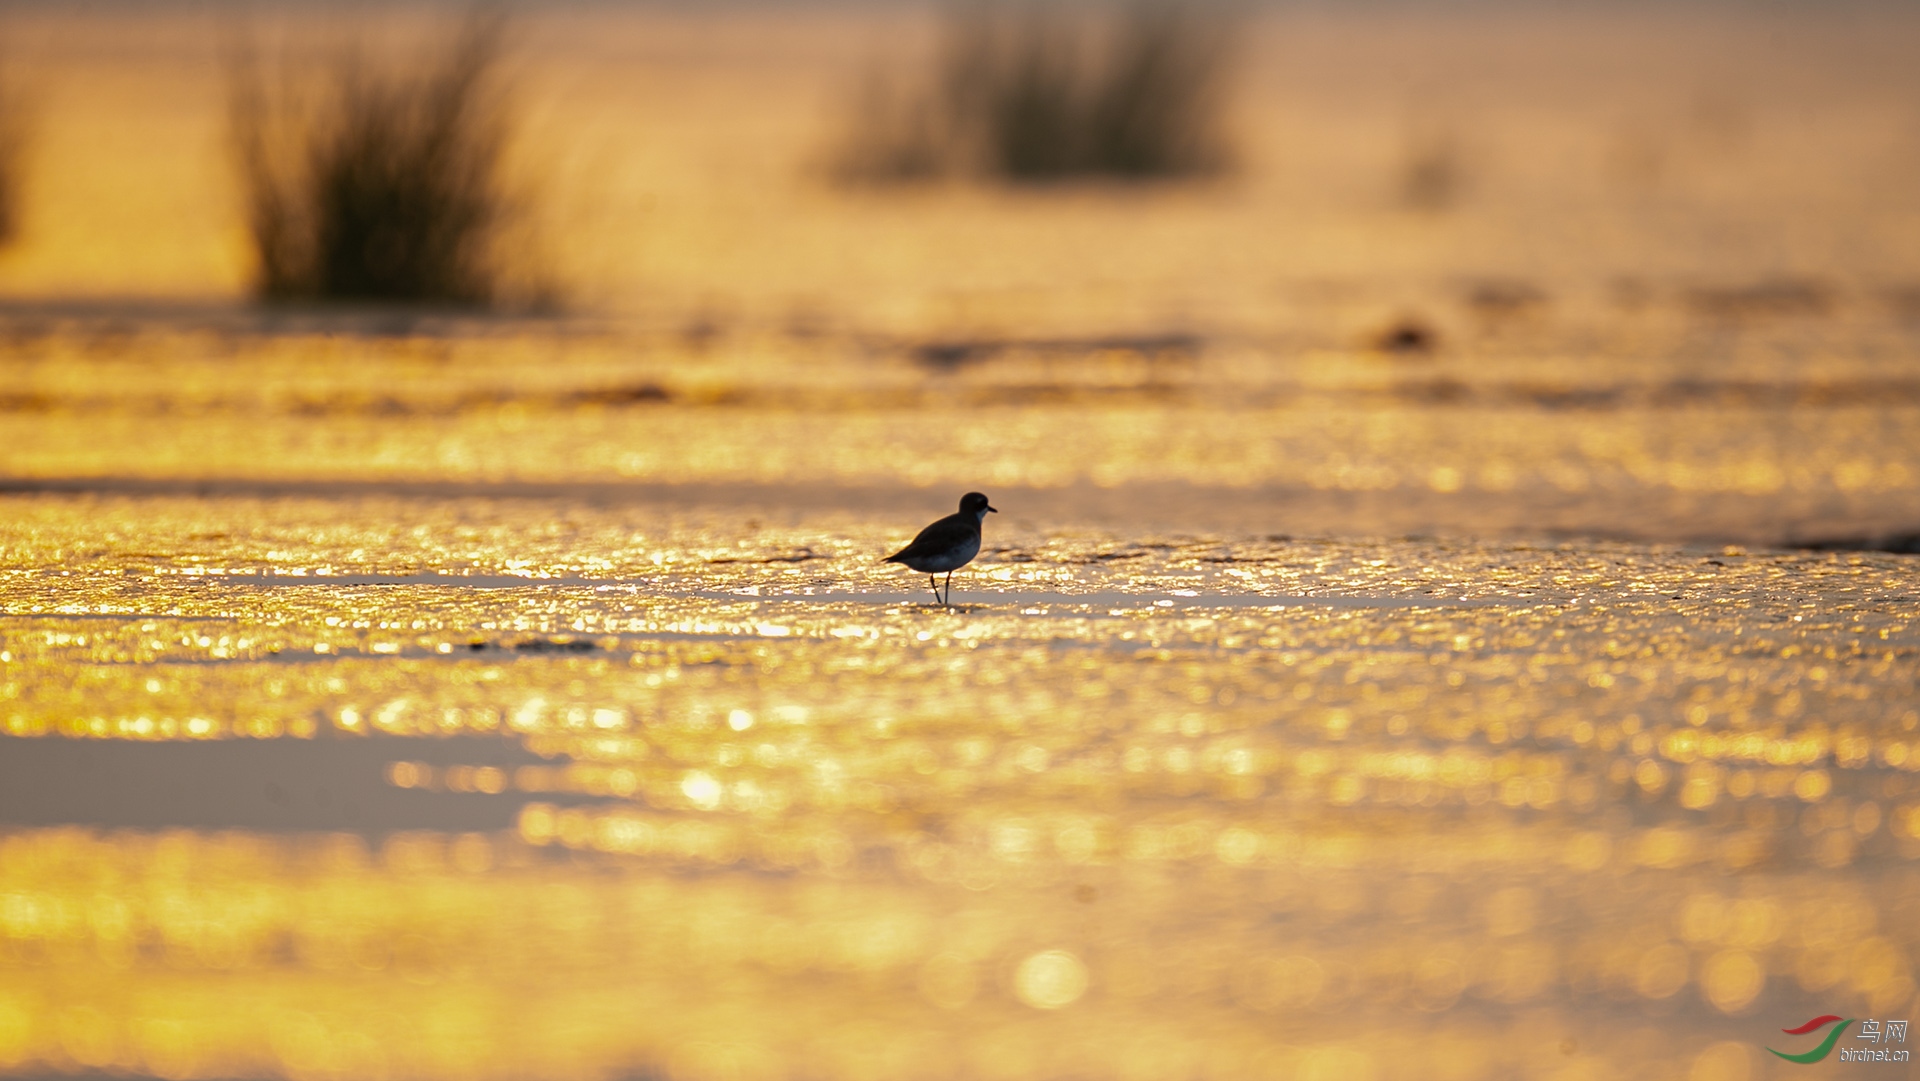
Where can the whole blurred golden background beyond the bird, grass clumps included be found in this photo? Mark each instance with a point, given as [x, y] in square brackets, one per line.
[1481, 268]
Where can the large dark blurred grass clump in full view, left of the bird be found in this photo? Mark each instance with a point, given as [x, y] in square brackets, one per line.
[379, 183]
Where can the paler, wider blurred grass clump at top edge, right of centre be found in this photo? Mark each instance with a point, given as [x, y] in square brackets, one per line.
[1036, 93]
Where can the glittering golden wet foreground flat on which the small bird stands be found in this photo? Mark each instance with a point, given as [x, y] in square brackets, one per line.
[1134, 807]
